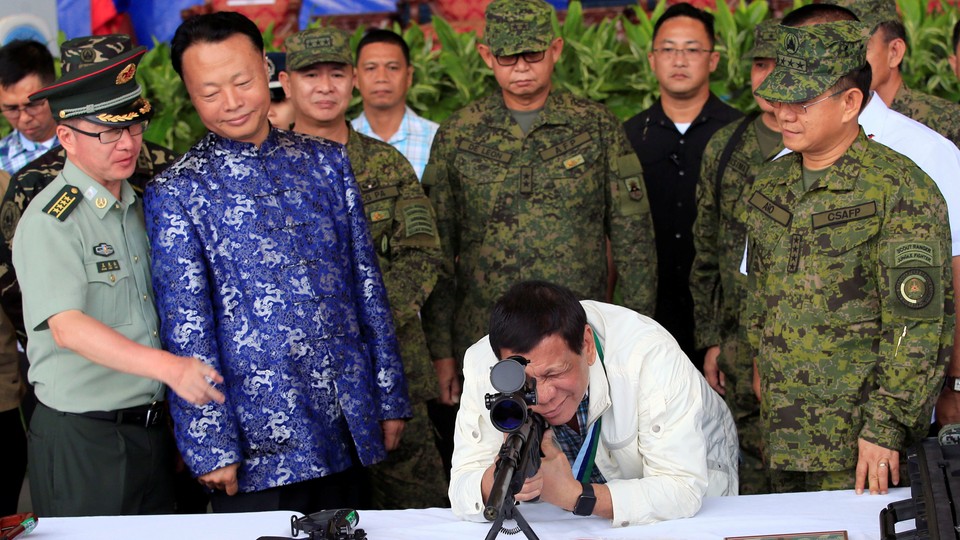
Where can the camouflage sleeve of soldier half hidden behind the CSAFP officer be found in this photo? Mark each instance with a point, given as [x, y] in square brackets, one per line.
[705, 272]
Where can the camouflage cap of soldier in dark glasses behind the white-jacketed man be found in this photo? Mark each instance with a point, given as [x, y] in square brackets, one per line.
[516, 26]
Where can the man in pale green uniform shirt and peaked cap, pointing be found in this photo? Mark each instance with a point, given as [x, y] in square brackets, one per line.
[98, 441]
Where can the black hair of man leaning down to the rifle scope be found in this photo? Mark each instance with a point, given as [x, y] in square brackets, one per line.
[533, 310]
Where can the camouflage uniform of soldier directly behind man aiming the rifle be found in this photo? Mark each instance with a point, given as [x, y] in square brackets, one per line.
[537, 206]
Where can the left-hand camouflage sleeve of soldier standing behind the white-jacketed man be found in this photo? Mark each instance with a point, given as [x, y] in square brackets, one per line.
[438, 311]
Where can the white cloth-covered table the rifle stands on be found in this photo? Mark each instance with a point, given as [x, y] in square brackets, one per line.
[719, 517]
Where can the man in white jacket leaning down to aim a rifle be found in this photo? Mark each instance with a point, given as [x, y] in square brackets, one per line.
[665, 438]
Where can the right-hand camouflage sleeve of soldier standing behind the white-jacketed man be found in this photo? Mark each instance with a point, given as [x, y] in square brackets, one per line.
[629, 223]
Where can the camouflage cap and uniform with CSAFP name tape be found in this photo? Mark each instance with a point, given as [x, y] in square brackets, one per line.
[850, 304]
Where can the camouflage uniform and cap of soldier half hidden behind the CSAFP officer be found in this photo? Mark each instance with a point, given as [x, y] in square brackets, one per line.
[716, 284]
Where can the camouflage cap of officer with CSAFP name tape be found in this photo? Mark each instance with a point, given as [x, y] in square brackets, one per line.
[811, 59]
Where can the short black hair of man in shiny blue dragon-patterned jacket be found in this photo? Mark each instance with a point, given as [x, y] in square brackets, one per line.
[211, 28]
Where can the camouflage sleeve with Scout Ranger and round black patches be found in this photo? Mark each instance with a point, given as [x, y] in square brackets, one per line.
[916, 296]
